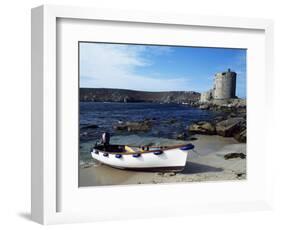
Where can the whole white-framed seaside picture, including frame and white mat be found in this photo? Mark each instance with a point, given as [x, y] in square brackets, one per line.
[137, 114]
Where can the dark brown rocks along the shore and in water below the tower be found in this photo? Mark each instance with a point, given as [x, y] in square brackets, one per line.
[231, 124]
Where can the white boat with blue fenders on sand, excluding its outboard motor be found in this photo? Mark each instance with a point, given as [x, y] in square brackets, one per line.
[142, 158]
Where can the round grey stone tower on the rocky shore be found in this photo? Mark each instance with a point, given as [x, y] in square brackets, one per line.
[225, 85]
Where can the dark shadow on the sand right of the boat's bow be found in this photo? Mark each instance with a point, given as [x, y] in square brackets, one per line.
[193, 168]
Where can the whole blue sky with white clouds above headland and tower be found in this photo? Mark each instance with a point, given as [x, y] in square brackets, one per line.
[158, 68]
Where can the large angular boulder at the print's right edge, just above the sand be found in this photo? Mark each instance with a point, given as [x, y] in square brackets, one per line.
[229, 127]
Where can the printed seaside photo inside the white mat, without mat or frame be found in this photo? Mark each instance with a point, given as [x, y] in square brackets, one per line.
[146, 114]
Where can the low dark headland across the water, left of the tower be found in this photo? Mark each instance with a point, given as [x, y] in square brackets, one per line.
[129, 96]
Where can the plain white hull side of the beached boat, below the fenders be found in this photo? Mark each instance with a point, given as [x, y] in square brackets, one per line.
[169, 160]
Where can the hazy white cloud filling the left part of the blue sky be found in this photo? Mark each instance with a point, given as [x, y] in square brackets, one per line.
[114, 66]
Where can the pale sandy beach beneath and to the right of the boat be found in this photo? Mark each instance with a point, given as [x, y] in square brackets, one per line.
[206, 163]
